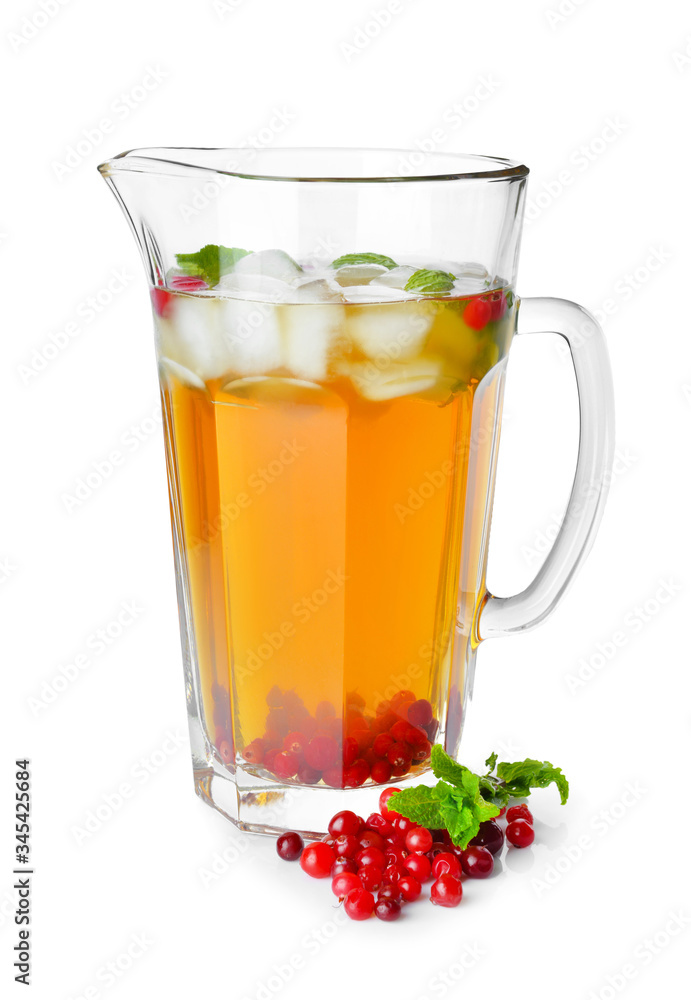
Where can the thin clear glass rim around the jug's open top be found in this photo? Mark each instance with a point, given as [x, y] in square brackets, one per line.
[246, 163]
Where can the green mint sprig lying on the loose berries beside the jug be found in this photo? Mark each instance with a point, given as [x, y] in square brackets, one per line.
[462, 800]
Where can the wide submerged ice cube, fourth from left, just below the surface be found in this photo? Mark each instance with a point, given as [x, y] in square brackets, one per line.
[394, 331]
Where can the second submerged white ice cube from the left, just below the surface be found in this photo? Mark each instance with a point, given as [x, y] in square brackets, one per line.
[251, 336]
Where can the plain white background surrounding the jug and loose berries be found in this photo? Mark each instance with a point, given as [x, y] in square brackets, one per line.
[552, 924]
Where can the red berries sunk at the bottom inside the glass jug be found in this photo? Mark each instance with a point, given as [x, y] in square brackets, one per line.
[347, 751]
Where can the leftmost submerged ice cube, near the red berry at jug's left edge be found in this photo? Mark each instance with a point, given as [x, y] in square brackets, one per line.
[192, 337]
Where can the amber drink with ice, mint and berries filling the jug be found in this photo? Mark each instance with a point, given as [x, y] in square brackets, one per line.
[330, 460]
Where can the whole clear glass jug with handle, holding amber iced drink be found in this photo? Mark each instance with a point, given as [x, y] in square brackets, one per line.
[332, 334]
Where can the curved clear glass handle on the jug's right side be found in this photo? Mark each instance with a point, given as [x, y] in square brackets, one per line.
[507, 615]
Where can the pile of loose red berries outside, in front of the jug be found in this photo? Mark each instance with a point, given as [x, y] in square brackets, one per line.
[393, 857]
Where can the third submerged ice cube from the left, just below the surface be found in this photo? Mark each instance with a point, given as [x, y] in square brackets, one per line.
[311, 336]
